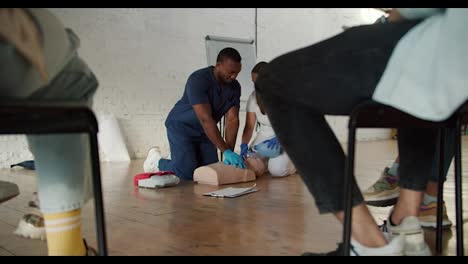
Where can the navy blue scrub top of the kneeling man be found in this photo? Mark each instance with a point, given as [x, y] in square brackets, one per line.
[202, 88]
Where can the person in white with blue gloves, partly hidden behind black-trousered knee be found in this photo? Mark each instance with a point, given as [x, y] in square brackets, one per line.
[265, 146]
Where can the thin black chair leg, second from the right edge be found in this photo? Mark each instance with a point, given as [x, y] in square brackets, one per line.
[440, 194]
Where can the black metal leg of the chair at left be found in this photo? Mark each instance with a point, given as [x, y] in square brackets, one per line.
[98, 200]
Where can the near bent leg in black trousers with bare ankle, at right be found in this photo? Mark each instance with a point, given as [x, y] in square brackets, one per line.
[299, 88]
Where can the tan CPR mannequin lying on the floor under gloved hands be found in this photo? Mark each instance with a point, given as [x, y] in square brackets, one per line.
[220, 173]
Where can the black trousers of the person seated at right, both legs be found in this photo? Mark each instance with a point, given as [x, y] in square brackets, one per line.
[331, 78]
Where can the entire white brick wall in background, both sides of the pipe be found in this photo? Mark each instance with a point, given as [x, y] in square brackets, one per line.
[142, 58]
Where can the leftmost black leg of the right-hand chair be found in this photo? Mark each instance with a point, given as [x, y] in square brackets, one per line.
[348, 194]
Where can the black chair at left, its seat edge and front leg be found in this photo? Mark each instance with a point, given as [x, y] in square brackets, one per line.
[55, 117]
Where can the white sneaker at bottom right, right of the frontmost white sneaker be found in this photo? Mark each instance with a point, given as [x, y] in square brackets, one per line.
[410, 228]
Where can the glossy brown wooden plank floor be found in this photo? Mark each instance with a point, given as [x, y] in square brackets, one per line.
[280, 219]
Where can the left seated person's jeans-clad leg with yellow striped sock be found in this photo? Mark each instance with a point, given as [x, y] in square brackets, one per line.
[61, 160]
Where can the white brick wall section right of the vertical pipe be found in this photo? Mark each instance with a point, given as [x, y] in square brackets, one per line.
[284, 30]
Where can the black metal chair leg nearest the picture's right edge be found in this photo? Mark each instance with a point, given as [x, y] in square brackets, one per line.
[458, 190]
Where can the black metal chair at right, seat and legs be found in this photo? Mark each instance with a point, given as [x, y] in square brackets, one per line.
[371, 114]
